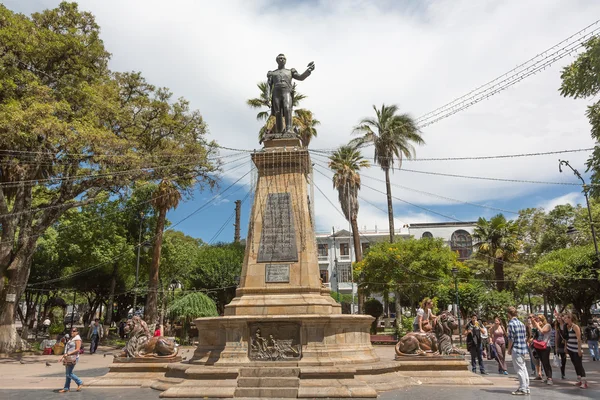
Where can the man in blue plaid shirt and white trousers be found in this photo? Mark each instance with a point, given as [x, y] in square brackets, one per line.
[517, 347]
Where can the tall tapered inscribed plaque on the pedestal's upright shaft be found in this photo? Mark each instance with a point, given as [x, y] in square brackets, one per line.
[278, 237]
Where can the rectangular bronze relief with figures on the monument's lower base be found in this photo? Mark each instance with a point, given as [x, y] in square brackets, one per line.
[274, 341]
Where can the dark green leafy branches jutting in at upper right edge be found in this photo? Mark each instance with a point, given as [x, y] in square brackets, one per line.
[581, 79]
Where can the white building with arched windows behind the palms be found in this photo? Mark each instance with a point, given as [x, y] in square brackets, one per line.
[340, 245]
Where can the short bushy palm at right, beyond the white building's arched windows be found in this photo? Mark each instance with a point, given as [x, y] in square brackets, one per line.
[497, 241]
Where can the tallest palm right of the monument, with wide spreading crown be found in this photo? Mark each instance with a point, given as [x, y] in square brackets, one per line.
[392, 135]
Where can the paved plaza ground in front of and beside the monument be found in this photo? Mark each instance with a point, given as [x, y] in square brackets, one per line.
[30, 378]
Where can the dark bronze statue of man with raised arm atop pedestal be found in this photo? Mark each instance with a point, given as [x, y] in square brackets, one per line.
[280, 83]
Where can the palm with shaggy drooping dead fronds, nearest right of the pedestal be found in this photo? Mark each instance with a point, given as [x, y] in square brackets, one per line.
[346, 163]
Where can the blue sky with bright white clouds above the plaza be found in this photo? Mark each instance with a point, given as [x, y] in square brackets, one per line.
[418, 55]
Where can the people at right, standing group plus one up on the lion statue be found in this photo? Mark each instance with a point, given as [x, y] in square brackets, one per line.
[537, 337]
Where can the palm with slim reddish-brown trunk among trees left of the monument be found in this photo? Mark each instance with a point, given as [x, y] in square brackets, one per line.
[165, 197]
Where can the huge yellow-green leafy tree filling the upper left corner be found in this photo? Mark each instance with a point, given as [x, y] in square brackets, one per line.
[70, 130]
